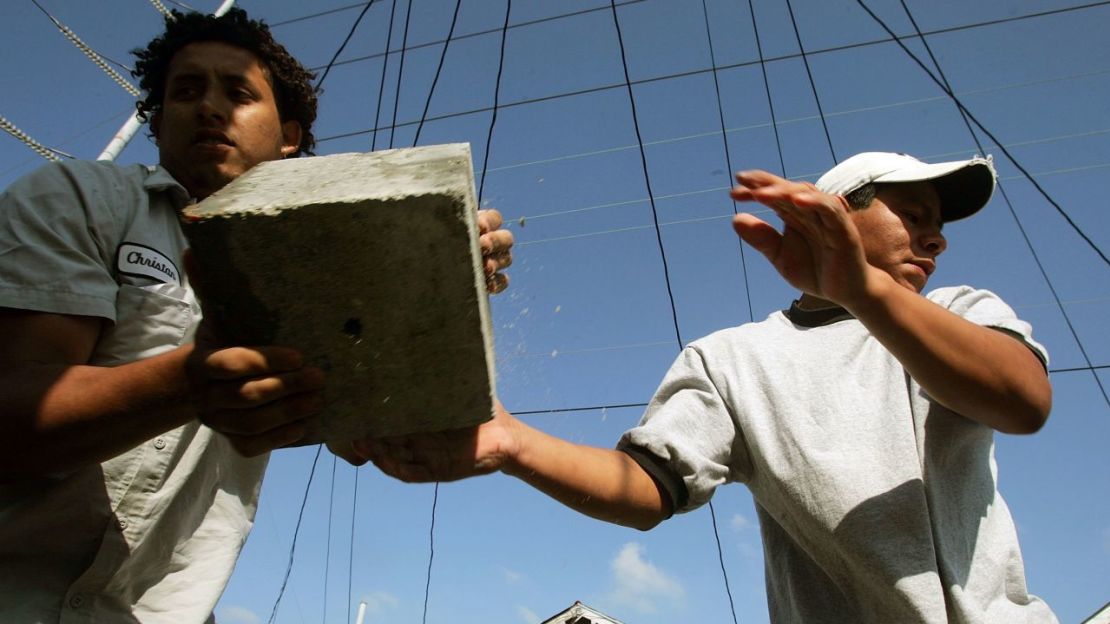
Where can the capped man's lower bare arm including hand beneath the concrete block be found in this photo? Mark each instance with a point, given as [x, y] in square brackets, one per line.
[602, 484]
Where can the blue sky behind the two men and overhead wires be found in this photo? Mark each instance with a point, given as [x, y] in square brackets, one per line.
[588, 321]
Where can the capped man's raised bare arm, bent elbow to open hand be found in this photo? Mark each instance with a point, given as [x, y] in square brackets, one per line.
[975, 371]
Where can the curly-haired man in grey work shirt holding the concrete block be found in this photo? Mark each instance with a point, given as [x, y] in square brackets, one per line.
[117, 505]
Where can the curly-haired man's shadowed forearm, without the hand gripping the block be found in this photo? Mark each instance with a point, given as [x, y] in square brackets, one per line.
[59, 417]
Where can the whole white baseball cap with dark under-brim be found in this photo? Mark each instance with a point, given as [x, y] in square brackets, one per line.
[964, 187]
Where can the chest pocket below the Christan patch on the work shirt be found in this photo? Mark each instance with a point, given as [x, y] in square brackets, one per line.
[149, 320]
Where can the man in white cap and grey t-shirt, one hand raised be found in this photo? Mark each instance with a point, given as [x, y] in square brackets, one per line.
[862, 419]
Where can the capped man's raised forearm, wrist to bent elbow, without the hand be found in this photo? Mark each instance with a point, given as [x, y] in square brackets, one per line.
[976, 371]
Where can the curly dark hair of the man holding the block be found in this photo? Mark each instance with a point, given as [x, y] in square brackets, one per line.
[292, 84]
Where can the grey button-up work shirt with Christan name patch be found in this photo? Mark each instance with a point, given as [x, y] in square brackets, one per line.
[153, 535]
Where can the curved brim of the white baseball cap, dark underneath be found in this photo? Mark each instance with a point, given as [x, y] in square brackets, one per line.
[964, 187]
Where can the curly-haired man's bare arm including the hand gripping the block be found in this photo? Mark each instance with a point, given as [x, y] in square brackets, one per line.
[62, 414]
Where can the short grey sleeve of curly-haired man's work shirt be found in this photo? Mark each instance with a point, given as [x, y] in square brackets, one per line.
[58, 229]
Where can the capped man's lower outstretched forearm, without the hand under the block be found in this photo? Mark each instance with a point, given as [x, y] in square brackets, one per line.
[603, 484]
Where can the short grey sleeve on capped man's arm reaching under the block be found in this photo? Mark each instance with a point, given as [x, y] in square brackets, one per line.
[691, 434]
